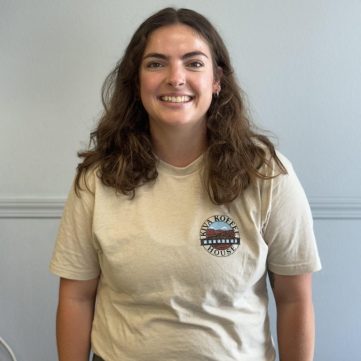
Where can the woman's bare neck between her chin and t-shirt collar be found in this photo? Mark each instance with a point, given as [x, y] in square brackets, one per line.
[179, 147]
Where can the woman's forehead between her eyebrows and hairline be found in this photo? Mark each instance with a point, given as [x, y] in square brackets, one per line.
[177, 38]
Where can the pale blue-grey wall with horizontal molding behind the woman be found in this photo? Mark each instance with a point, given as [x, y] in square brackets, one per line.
[299, 62]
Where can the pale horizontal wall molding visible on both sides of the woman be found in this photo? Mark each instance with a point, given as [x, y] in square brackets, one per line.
[322, 207]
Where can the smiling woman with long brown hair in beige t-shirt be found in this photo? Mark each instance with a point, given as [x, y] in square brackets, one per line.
[178, 211]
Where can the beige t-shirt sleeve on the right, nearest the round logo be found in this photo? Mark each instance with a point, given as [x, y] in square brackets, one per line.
[288, 230]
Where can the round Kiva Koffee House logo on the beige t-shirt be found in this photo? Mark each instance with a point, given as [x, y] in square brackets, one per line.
[219, 236]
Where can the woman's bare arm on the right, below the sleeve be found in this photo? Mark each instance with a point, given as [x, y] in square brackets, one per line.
[295, 318]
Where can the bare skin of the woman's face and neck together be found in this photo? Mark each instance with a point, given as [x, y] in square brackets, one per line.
[177, 62]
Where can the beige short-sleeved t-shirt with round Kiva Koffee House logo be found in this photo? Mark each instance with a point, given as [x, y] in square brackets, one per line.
[181, 278]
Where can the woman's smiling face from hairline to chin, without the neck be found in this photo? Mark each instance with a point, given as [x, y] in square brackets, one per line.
[176, 77]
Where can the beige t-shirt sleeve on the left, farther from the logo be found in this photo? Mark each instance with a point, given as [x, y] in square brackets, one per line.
[75, 256]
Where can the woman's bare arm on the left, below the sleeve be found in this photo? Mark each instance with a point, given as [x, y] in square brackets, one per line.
[74, 318]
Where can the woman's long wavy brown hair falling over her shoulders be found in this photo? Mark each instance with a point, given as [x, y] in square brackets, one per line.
[121, 149]
